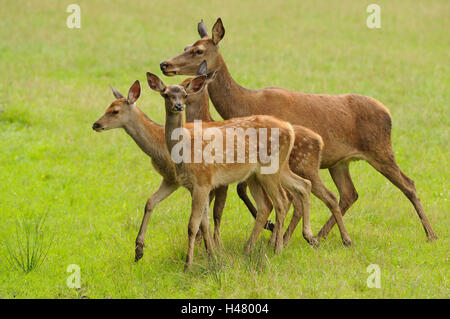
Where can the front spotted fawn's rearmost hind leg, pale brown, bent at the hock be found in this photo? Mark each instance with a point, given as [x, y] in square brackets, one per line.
[301, 189]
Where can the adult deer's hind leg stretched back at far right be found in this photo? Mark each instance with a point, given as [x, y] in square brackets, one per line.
[387, 166]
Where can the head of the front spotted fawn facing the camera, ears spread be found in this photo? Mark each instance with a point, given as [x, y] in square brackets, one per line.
[175, 96]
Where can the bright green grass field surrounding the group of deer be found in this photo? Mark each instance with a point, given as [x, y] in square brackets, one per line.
[93, 187]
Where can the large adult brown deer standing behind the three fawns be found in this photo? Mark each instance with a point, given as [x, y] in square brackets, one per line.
[352, 126]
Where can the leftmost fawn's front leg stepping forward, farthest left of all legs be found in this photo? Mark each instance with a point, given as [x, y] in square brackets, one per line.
[165, 189]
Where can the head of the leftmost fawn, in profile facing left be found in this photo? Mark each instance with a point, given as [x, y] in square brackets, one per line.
[119, 113]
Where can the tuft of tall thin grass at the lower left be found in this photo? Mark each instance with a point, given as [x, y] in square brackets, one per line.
[29, 246]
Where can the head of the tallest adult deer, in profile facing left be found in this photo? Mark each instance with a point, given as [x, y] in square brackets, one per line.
[205, 49]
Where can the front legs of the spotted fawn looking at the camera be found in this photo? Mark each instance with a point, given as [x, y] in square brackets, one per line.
[199, 206]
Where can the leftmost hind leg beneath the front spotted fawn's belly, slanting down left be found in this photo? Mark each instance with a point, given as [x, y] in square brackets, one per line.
[264, 207]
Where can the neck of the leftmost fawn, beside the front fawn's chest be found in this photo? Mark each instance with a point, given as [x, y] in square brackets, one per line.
[148, 135]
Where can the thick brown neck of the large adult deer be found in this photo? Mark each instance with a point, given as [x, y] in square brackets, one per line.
[227, 96]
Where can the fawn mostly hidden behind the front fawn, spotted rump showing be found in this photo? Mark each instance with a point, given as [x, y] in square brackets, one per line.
[303, 161]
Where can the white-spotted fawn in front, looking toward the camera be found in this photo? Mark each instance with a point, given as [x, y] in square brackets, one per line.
[203, 176]
